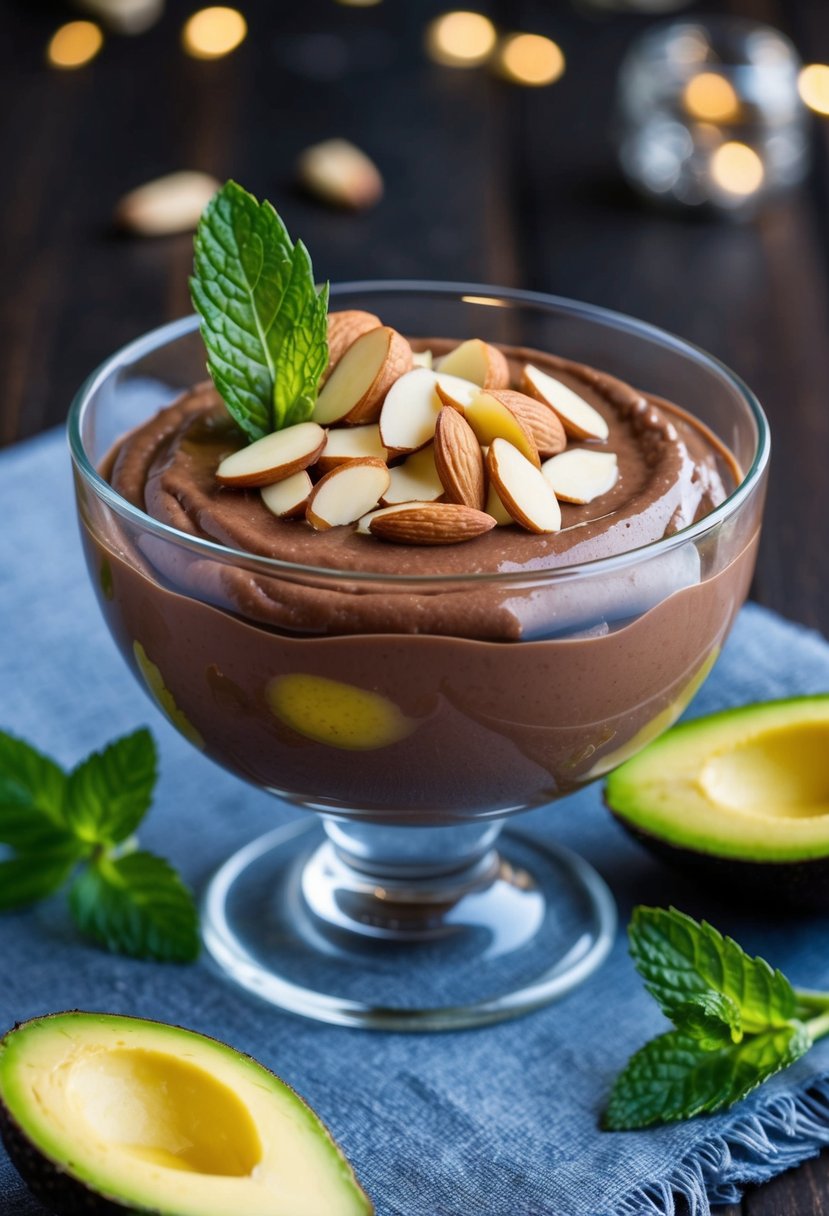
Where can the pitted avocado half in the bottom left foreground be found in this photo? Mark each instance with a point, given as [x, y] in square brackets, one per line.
[108, 1116]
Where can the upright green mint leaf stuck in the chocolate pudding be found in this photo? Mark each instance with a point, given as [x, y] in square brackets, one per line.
[263, 322]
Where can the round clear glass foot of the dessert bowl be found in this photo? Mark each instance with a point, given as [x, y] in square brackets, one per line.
[537, 924]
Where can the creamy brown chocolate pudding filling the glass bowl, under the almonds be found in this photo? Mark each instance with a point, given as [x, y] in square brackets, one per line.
[353, 682]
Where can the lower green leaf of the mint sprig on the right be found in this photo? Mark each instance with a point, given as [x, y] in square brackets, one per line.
[675, 1078]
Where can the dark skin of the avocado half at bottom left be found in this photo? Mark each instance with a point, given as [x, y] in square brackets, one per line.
[67, 1196]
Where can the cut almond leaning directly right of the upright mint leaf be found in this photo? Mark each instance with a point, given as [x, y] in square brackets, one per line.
[356, 390]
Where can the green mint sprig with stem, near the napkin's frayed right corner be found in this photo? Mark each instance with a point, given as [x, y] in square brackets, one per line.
[737, 1022]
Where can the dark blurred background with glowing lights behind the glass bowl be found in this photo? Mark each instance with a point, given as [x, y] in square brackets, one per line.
[664, 159]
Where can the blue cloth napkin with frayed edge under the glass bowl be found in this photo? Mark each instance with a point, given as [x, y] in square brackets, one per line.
[500, 1122]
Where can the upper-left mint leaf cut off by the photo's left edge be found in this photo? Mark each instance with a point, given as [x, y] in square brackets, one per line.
[32, 798]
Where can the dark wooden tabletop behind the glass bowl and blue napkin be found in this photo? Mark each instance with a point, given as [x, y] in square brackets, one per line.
[484, 182]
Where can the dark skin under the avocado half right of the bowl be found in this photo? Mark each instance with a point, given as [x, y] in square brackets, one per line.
[768, 886]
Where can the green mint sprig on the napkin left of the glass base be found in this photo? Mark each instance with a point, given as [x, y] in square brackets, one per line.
[80, 826]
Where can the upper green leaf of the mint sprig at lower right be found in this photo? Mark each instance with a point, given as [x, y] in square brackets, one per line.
[680, 959]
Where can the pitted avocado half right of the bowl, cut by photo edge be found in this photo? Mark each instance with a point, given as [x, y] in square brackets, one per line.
[740, 800]
